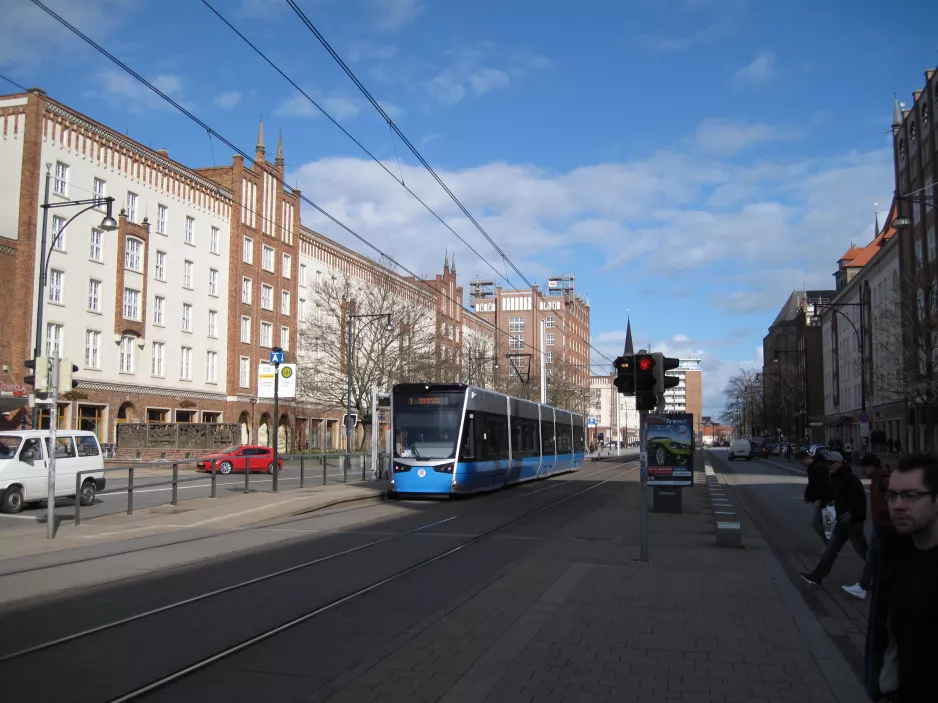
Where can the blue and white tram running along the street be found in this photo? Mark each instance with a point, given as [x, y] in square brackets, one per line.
[453, 438]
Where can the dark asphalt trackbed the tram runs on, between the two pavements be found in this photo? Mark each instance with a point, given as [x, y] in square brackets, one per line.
[469, 542]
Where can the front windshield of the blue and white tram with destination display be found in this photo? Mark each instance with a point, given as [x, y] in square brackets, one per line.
[426, 425]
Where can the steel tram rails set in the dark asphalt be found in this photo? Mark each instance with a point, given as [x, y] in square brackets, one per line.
[48, 648]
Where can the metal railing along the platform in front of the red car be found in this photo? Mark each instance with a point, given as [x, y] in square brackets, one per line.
[236, 462]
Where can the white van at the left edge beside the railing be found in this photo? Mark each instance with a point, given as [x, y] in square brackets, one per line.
[24, 467]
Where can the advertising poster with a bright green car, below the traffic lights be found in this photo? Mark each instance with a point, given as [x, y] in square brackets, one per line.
[670, 448]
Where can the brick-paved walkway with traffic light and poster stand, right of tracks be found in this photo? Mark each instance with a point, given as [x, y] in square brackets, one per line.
[578, 619]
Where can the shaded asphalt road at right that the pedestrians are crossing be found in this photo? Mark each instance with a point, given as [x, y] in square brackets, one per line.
[773, 492]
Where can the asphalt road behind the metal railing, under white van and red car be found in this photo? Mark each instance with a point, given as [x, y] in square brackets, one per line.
[152, 487]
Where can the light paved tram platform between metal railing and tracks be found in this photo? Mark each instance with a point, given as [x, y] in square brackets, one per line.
[155, 538]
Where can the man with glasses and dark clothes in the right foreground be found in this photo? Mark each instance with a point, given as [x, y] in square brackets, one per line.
[901, 642]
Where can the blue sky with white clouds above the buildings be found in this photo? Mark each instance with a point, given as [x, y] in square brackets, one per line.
[690, 161]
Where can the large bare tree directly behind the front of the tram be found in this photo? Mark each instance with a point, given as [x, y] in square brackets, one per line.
[381, 355]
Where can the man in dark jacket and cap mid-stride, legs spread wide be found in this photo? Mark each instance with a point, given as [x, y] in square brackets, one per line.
[850, 505]
